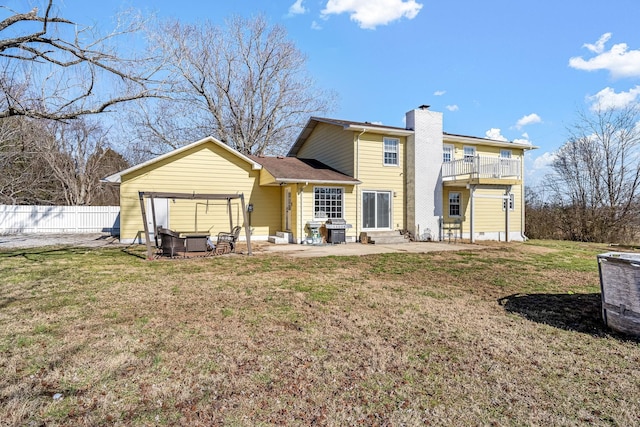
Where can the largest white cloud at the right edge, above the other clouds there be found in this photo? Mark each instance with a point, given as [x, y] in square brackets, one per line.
[619, 60]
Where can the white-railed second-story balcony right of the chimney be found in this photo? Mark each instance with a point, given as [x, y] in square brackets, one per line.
[483, 170]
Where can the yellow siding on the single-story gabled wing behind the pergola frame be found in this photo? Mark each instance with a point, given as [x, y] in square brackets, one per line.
[206, 168]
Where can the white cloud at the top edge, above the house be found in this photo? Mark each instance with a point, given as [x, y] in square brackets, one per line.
[371, 13]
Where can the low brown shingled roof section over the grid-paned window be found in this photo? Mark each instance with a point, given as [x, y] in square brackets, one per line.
[293, 169]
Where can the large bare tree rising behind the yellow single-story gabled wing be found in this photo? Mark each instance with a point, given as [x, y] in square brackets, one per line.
[245, 84]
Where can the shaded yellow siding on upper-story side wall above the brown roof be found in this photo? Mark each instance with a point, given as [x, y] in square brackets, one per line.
[332, 146]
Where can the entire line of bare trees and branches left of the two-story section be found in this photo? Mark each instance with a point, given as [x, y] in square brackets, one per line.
[72, 97]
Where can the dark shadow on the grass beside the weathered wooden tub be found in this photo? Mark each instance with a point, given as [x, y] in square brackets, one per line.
[574, 312]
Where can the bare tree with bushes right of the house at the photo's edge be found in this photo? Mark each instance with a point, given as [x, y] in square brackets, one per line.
[596, 177]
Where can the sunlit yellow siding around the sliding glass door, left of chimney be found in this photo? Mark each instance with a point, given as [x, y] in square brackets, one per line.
[375, 176]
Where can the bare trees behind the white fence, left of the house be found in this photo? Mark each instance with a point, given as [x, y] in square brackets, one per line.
[56, 163]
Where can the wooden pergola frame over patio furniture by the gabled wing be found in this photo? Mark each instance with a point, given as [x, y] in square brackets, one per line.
[190, 196]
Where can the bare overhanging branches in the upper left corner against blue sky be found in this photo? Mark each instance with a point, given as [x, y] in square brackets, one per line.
[51, 68]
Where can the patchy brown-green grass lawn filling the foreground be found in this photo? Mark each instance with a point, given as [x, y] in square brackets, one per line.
[509, 335]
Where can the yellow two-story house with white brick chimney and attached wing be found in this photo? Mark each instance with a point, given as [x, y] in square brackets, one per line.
[358, 177]
